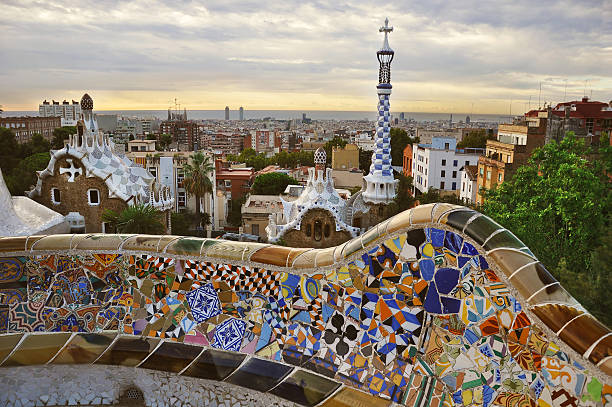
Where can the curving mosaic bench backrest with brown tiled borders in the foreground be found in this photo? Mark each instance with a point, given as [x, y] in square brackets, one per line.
[437, 306]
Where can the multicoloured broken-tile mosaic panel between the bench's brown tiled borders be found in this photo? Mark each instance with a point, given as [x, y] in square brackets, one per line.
[418, 319]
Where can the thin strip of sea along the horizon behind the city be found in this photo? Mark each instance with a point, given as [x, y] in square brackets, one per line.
[292, 114]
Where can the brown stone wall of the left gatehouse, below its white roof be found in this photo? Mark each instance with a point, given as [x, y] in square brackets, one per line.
[74, 195]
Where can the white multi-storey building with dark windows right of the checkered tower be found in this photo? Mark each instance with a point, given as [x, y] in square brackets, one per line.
[437, 165]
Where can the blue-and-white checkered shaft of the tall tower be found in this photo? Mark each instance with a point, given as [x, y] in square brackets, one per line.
[381, 158]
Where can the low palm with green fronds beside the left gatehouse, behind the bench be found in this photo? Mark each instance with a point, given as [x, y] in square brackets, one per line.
[142, 218]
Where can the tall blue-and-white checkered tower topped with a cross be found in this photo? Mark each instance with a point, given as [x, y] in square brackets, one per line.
[379, 185]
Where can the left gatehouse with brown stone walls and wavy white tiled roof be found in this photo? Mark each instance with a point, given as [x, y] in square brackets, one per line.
[88, 177]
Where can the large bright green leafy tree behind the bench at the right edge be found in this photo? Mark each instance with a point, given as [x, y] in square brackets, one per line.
[559, 205]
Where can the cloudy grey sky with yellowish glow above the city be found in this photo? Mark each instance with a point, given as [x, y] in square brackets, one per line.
[459, 56]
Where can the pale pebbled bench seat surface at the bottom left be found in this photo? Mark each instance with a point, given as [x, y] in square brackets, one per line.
[106, 385]
